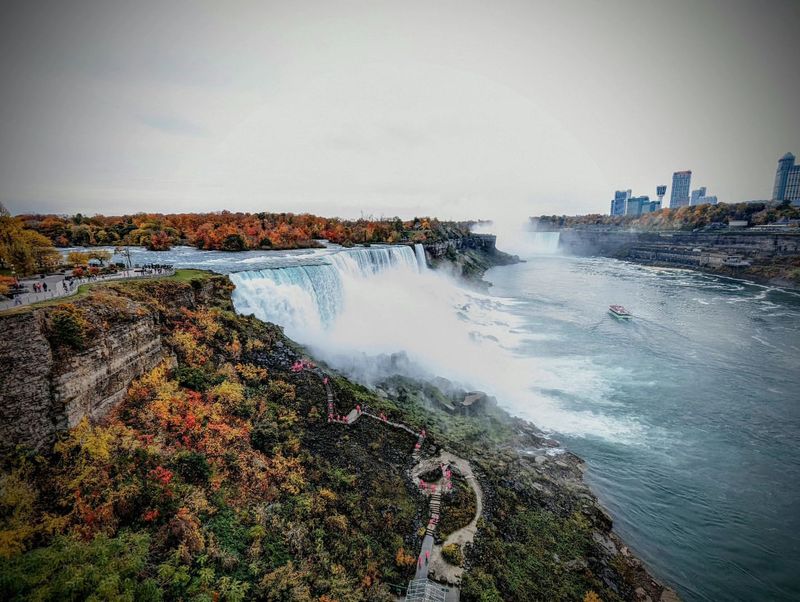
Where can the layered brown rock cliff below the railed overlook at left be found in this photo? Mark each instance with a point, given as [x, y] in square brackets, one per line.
[48, 385]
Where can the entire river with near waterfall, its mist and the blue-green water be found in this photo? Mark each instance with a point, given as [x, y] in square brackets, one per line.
[688, 415]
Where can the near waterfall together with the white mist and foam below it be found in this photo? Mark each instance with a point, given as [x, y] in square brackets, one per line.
[359, 307]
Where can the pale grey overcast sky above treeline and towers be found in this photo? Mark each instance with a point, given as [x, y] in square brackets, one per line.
[457, 109]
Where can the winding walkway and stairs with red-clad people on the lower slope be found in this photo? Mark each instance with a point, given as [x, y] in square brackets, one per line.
[430, 560]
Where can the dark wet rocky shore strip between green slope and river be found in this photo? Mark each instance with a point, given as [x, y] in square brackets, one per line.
[542, 472]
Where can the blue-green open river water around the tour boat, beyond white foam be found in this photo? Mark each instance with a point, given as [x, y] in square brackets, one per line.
[707, 490]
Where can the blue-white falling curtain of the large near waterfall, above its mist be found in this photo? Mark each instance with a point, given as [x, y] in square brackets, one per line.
[306, 298]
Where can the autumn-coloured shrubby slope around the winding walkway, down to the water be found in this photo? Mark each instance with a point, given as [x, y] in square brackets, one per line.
[220, 478]
